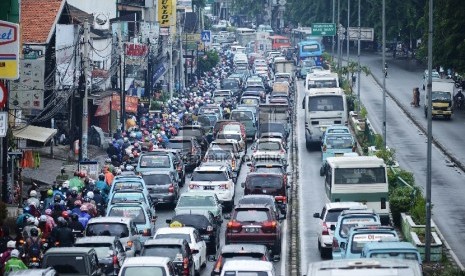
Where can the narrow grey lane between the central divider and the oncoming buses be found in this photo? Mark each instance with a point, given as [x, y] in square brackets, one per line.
[311, 191]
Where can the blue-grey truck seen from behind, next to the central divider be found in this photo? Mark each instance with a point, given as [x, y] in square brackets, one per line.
[274, 118]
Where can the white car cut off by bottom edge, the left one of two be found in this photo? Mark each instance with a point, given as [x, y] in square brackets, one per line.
[148, 266]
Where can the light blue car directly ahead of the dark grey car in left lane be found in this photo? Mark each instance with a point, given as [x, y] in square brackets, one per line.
[160, 160]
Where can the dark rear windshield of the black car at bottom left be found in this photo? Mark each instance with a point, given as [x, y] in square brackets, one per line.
[68, 264]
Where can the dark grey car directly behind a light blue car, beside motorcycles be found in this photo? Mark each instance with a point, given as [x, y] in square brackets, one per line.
[162, 187]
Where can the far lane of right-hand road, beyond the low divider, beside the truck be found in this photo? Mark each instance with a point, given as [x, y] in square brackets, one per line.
[403, 76]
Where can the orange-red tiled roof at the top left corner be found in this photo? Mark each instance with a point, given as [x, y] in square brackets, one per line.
[38, 19]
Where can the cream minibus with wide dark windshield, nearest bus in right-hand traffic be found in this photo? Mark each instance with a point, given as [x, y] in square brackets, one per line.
[361, 179]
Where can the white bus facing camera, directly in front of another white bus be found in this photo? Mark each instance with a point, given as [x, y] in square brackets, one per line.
[323, 107]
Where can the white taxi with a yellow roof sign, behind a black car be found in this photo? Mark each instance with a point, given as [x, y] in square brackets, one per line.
[191, 235]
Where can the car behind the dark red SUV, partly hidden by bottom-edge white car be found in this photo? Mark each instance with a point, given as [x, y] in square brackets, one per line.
[238, 251]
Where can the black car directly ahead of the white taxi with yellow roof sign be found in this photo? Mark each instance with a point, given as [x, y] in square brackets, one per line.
[205, 222]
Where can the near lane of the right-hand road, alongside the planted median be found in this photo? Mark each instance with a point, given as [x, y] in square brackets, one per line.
[410, 146]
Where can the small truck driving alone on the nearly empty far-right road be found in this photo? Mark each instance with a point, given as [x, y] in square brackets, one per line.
[442, 95]
